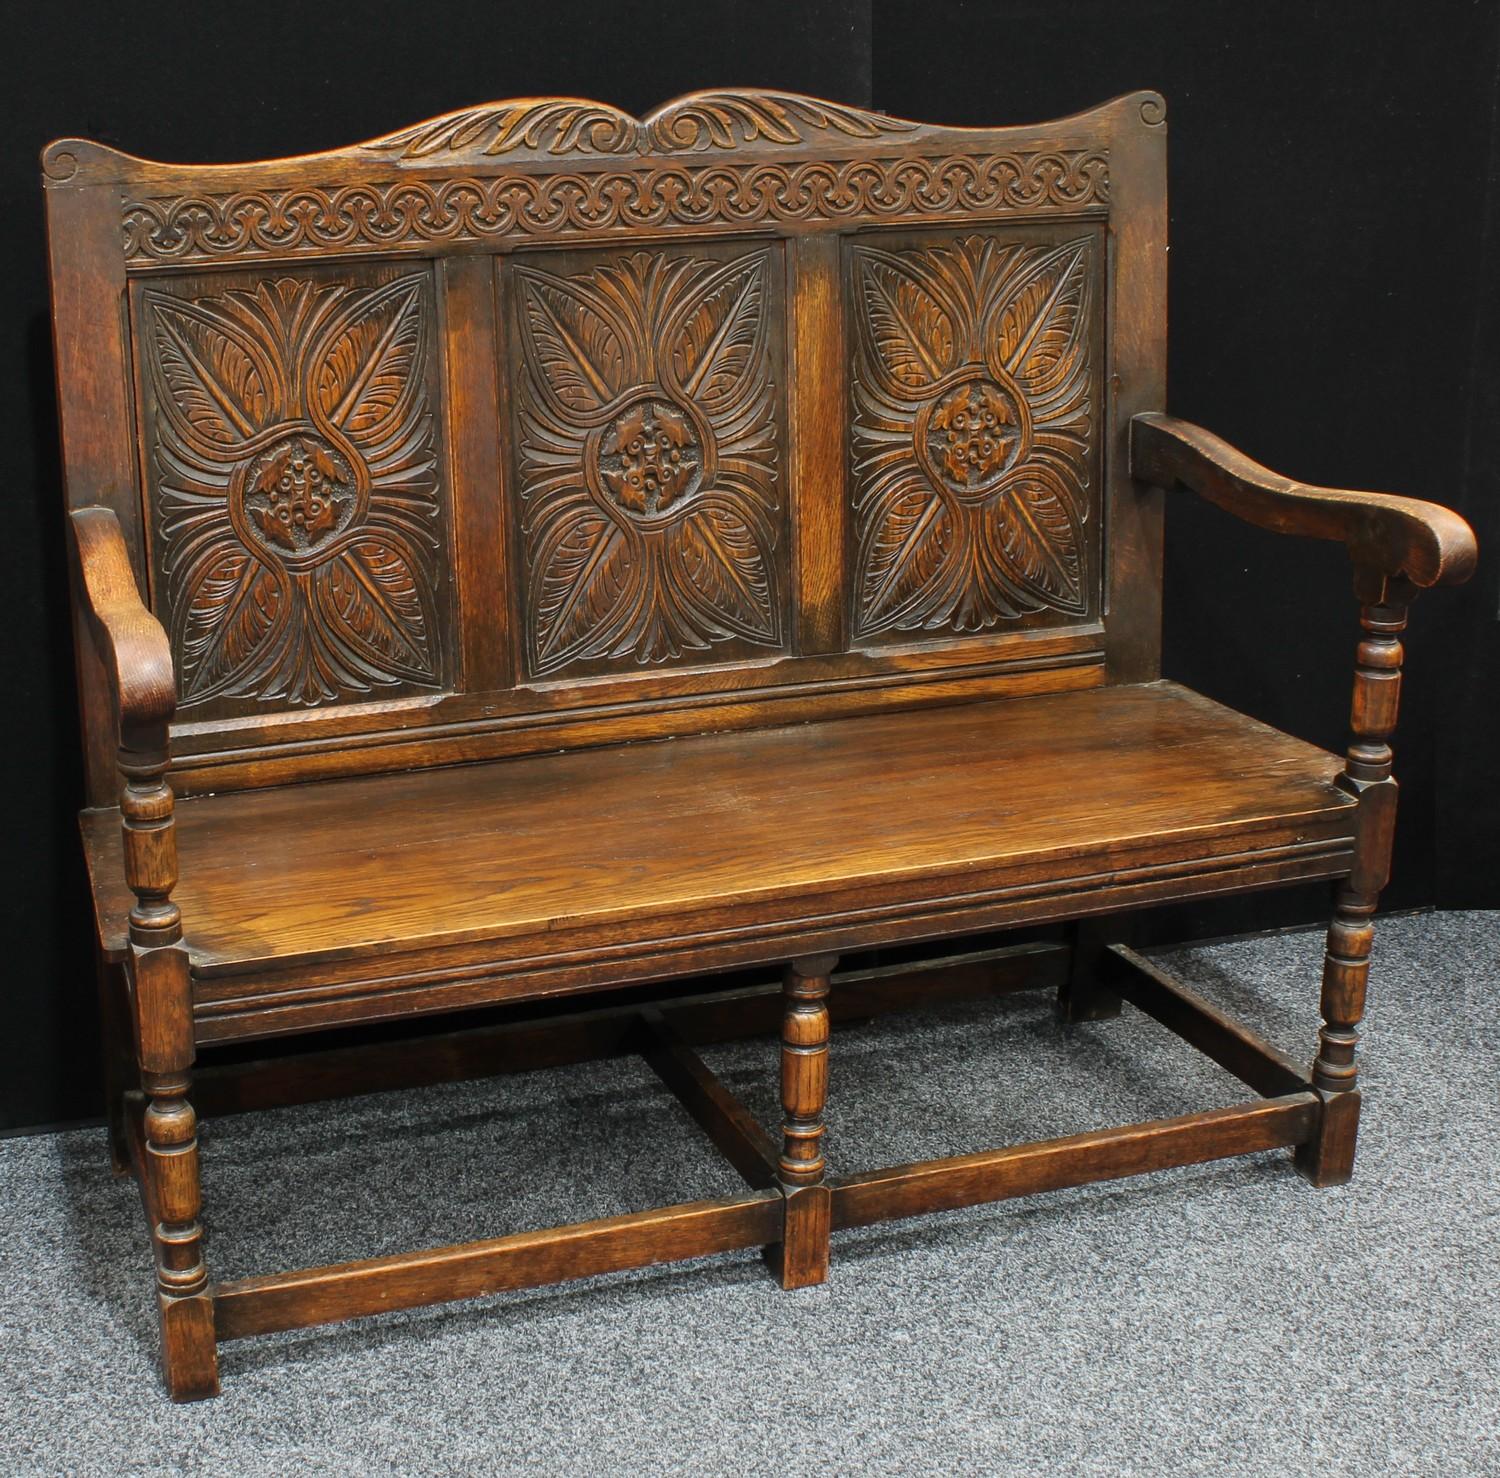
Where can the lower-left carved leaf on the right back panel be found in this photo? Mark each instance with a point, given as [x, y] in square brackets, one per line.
[907, 544]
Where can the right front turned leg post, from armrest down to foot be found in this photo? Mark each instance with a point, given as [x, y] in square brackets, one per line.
[1330, 1158]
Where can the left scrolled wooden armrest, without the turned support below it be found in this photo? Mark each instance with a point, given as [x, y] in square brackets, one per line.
[131, 641]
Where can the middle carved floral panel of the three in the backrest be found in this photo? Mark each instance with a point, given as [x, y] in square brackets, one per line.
[649, 460]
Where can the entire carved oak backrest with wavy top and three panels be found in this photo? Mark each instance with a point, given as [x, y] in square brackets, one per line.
[541, 425]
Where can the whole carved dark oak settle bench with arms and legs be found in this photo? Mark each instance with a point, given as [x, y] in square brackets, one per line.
[545, 551]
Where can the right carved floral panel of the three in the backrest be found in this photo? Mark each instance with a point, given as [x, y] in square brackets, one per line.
[974, 416]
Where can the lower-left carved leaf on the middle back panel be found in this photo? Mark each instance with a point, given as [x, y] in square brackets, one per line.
[584, 578]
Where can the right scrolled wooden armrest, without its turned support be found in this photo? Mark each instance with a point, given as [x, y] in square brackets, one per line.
[1399, 538]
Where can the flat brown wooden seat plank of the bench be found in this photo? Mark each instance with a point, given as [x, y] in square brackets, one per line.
[1063, 784]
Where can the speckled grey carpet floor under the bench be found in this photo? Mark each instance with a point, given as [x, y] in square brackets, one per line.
[1219, 1320]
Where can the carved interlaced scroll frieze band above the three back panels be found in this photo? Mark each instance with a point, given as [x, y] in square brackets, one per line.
[499, 208]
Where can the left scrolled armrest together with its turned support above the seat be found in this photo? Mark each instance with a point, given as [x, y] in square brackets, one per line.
[139, 662]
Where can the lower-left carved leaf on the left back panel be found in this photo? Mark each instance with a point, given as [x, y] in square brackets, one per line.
[238, 607]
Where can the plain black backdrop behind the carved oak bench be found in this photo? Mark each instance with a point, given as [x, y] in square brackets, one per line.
[1334, 194]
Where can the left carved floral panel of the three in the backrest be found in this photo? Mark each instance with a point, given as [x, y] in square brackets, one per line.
[298, 505]
